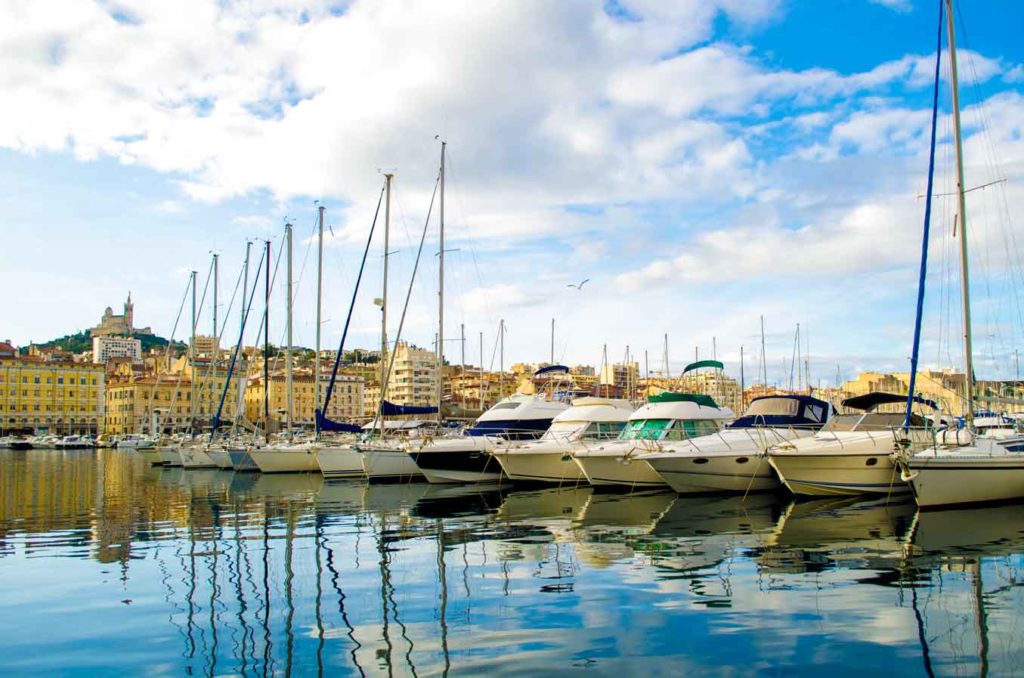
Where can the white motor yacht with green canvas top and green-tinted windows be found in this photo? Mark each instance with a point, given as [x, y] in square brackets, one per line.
[666, 418]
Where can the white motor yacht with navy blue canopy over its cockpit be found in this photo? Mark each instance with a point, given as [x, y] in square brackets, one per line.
[734, 460]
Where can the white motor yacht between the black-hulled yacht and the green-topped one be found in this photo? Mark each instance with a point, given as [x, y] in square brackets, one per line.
[589, 422]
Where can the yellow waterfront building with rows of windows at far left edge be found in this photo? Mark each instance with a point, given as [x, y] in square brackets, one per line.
[55, 397]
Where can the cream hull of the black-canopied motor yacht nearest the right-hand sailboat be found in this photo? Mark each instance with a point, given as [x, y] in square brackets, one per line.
[839, 475]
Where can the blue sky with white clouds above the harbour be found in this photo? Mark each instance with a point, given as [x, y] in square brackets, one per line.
[704, 163]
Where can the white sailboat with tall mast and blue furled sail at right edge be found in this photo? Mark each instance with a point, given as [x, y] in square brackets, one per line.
[962, 468]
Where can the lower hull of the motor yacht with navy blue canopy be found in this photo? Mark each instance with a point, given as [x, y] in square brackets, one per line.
[714, 475]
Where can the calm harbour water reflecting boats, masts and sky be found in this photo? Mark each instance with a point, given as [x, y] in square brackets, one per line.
[217, 573]
